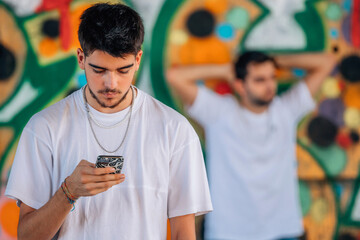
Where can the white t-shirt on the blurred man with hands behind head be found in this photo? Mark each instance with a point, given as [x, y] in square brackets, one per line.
[251, 164]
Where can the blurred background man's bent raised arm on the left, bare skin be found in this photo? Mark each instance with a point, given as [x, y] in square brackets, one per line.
[183, 79]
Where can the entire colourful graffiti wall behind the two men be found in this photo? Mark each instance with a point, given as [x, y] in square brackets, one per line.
[38, 67]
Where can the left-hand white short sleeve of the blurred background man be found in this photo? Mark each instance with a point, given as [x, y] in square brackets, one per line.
[207, 106]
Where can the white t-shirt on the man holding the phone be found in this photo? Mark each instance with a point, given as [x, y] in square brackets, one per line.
[163, 165]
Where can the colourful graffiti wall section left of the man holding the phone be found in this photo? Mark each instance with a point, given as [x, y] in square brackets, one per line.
[38, 67]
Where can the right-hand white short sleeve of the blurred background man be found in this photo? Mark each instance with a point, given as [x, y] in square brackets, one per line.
[298, 101]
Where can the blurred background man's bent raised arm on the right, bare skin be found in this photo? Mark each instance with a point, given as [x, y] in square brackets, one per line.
[318, 67]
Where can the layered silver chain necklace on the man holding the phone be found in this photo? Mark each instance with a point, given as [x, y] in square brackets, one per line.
[90, 119]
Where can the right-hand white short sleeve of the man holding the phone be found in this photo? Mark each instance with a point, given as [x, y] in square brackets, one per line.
[188, 185]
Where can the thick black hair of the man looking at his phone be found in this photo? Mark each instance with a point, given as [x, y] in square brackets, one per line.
[113, 28]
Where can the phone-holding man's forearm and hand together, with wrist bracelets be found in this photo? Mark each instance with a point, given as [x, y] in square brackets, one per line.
[86, 180]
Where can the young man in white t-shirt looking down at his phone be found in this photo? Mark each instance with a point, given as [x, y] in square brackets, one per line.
[53, 178]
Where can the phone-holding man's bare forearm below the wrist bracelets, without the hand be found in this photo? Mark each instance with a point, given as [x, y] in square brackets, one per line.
[46, 221]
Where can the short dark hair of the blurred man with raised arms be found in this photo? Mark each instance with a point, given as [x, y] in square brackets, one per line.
[247, 58]
